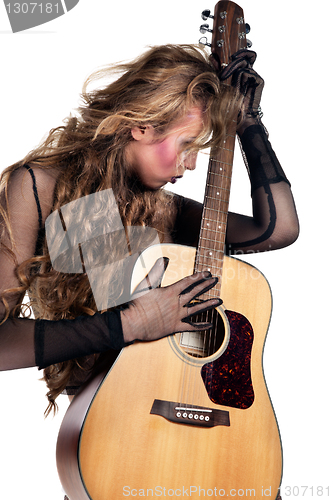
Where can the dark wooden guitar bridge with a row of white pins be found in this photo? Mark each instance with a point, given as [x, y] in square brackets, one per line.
[190, 414]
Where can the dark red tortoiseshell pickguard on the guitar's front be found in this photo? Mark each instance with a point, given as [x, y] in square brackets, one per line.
[228, 378]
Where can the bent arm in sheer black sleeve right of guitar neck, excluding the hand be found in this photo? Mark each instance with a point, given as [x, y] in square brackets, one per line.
[274, 223]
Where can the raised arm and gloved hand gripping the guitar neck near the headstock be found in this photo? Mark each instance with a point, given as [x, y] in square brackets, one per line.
[274, 221]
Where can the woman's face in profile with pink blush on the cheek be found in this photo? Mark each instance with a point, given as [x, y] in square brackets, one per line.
[159, 161]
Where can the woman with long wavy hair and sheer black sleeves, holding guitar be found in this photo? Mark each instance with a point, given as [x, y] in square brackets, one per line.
[132, 137]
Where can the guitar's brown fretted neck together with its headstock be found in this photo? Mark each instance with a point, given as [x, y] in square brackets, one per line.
[229, 36]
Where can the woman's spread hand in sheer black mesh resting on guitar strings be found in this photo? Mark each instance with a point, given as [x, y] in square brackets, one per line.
[163, 311]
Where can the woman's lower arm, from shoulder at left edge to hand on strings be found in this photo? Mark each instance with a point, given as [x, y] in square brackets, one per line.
[150, 315]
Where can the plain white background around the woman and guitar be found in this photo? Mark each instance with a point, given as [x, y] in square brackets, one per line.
[42, 73]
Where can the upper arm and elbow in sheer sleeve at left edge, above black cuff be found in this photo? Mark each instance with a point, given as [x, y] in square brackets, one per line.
[19, 205]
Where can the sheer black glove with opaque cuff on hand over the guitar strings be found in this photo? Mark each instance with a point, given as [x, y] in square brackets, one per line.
[153, 313]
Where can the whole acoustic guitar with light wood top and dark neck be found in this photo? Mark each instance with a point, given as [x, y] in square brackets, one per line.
[188, 415]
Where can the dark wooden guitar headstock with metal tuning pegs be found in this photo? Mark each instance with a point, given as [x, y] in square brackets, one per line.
[228, 33]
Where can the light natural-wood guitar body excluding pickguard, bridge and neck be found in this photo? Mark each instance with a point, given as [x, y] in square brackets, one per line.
[120, 446]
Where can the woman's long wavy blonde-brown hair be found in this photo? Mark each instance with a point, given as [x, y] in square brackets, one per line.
[88, 151]
